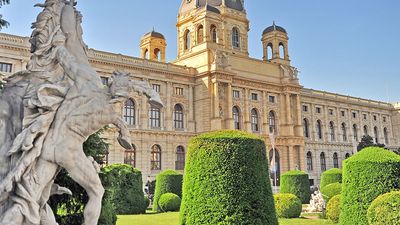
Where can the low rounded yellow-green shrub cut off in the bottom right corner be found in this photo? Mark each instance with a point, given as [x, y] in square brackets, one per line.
[385, 209]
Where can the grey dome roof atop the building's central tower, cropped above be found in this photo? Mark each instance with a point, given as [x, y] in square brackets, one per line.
[189, 5]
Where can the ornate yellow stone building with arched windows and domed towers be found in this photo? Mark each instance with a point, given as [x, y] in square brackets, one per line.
[214, 84]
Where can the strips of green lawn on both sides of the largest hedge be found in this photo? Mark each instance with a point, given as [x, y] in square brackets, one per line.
[172, 219]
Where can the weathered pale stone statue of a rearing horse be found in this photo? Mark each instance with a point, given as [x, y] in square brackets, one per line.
[46, 114]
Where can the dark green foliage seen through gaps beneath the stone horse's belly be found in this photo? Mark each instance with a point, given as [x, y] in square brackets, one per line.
[69, 209]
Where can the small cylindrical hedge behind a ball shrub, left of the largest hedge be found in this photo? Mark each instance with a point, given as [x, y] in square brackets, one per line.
[168, 181]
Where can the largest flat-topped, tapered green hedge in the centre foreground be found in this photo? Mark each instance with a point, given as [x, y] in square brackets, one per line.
[227, 181]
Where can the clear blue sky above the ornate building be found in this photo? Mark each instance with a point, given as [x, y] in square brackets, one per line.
[343, 46]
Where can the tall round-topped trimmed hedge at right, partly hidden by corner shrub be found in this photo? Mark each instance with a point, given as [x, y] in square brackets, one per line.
[366, 175]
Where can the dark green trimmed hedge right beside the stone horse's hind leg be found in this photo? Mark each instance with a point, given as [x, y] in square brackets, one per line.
[126, 188]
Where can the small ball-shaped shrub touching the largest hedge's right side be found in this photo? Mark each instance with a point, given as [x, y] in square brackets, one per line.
[287, 205]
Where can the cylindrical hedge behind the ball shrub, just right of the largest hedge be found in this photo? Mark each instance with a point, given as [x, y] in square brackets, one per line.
[296, 182]
